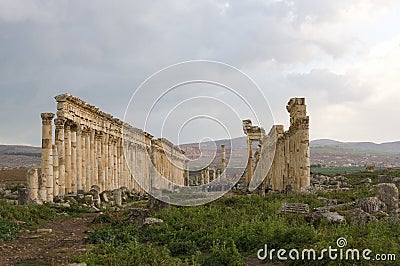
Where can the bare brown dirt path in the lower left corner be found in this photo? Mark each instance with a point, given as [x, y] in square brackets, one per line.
[65, 242]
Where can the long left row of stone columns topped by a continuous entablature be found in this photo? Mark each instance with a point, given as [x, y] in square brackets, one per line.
[94, 148]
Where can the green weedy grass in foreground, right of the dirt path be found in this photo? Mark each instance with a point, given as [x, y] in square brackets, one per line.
[231, 229]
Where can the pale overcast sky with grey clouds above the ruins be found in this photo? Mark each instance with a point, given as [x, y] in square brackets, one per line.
[343, 56]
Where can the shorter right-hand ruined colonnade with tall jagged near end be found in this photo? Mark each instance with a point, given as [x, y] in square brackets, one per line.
[290, 165]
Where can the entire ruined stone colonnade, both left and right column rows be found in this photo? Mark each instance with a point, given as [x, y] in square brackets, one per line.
[93, 150]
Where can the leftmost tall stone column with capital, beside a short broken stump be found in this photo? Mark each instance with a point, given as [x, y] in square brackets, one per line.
[47, 167]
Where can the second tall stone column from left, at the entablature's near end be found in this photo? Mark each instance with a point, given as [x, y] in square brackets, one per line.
[61, 152]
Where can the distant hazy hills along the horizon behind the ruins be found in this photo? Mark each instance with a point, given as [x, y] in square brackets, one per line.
[323, 151]
